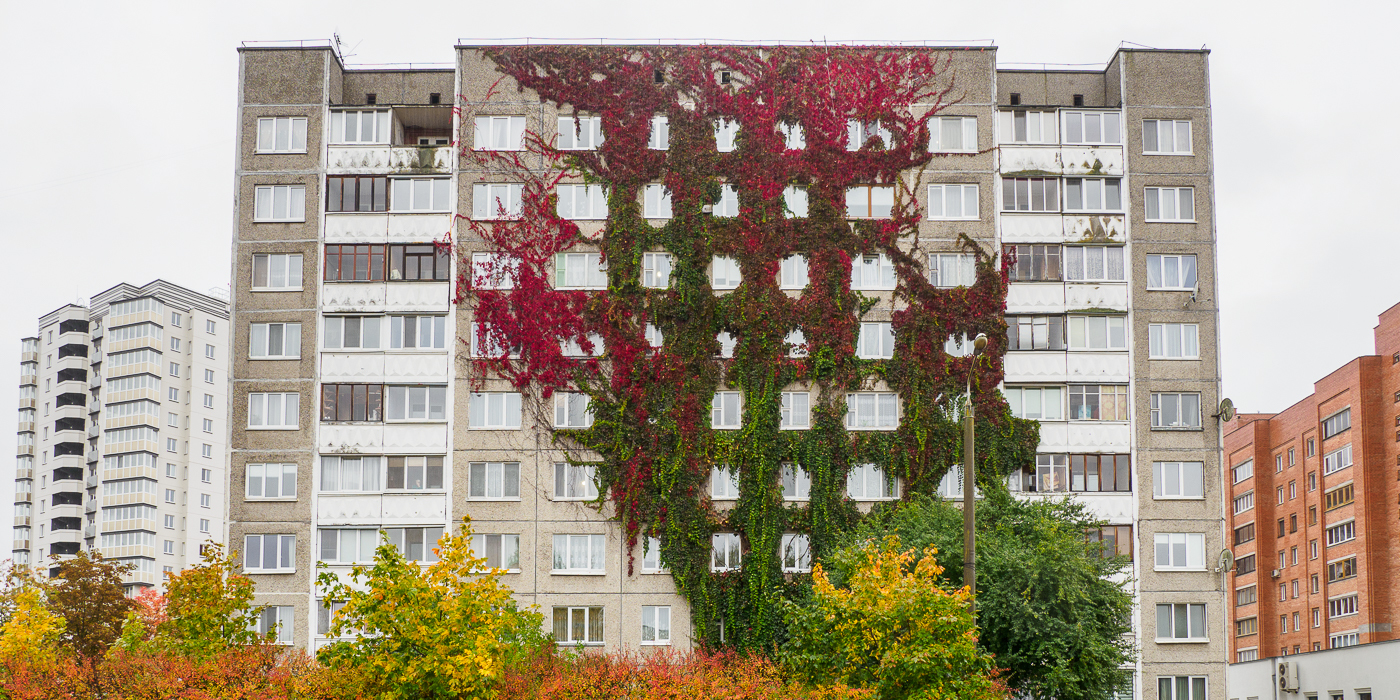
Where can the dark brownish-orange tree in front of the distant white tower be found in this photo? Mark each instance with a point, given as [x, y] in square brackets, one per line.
[87, 591]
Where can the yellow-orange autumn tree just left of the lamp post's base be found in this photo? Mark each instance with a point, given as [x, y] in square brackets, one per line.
[894, 626]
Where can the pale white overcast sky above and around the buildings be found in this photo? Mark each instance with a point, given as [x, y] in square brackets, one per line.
[120, 136]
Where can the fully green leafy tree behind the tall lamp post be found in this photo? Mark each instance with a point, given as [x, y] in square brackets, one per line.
[1048, 604]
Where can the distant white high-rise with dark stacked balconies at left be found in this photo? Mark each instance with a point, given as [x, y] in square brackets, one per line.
[124, 412]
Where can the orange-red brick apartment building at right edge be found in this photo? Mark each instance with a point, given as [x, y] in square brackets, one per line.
[1311, 512]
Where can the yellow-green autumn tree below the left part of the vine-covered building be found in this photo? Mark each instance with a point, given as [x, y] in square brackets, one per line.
[444, 631]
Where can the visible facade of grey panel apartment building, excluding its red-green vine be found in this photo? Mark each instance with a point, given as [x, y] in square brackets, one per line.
[1097, 183]
